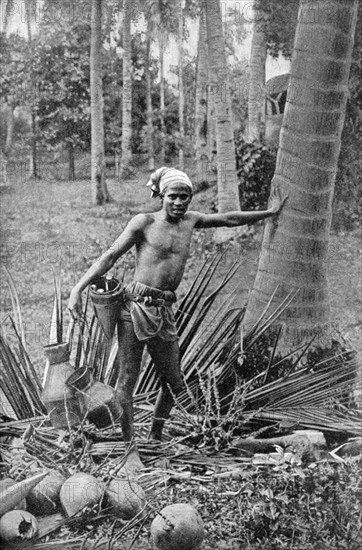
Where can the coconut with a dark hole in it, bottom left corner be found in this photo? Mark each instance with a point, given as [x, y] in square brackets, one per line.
[18, 525]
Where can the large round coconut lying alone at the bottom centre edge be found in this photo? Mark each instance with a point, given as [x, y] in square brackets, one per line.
[177, 527]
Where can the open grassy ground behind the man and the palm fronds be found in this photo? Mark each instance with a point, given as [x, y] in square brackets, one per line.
[48, 224]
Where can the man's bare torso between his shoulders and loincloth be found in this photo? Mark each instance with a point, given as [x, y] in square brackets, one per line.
[162, 248]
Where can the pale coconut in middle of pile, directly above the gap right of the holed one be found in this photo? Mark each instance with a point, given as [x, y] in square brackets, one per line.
[80, 490]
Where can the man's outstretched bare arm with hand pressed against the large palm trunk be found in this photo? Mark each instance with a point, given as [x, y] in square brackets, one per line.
[236, 218]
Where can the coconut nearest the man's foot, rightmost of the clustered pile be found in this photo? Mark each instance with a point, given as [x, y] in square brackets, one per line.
[126, 497]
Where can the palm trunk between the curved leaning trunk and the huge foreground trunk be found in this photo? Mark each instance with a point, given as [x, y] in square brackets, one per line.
[256, 98]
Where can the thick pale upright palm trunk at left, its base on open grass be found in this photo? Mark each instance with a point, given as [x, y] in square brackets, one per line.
[99, 186]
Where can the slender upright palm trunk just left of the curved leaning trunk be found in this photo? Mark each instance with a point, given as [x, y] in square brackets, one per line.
[201, 120]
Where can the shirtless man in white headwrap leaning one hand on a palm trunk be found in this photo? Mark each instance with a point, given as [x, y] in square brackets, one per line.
[162, 240]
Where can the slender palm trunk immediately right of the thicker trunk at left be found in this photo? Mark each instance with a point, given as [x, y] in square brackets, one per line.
[126, 152]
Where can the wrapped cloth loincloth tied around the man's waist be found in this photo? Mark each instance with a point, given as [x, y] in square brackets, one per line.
[150, 311]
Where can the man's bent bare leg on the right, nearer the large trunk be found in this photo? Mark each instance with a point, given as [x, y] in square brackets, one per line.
[166, 356]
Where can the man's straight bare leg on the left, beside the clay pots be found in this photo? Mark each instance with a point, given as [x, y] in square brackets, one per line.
[129, 359]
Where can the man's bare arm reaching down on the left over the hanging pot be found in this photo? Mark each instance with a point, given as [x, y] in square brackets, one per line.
[104, 263]
